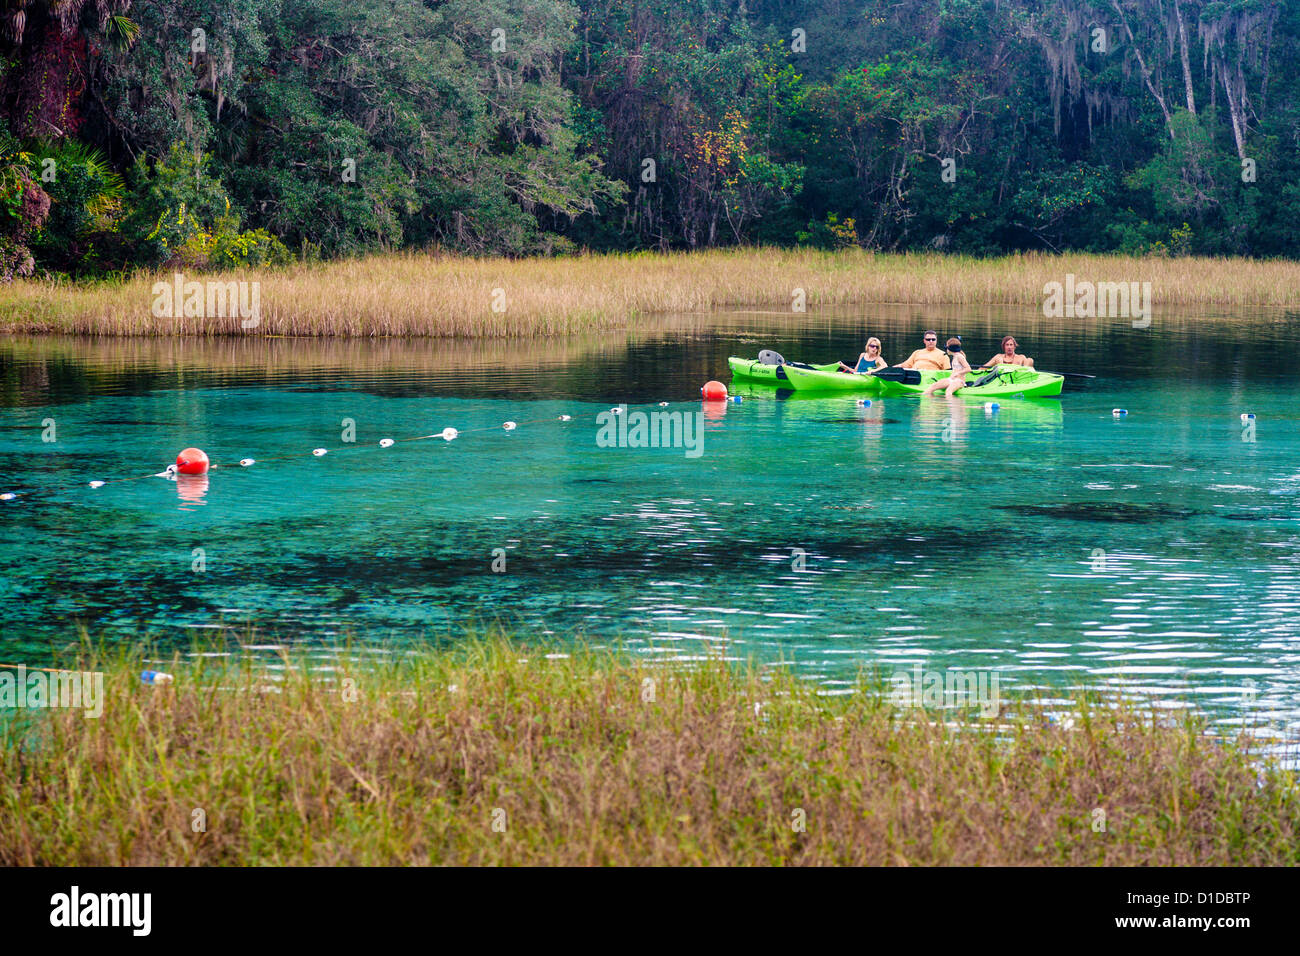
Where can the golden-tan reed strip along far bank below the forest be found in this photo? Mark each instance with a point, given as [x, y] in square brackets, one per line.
[443, 296]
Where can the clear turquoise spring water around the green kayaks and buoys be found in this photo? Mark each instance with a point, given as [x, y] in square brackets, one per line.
[1050, 540]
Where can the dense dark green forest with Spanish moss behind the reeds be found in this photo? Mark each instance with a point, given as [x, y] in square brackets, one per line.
[205, 133]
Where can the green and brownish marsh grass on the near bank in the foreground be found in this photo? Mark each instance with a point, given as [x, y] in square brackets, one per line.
[583, 764]
